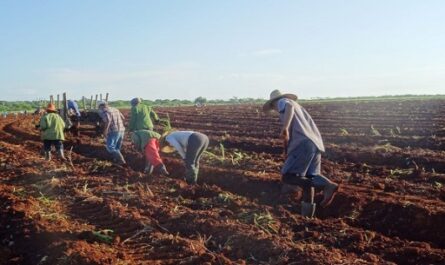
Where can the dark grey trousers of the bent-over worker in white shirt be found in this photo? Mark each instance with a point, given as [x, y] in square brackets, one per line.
[196, 145]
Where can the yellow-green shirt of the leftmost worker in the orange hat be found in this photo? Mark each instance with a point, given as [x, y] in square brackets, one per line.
[52, 126]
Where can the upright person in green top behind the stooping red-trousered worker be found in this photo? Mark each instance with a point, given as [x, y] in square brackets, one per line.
[141, 116]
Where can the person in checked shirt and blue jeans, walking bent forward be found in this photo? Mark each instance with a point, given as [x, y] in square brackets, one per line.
[114, 130]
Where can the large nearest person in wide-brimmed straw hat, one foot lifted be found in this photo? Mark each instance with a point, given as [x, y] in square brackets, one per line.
[303, 148]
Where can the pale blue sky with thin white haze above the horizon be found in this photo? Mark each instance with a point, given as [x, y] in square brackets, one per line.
[221, 49]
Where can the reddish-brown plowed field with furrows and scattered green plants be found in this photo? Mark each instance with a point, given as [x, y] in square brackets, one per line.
[389, 157]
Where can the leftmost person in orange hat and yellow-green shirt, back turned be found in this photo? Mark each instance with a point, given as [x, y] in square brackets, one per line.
[52, 126]
